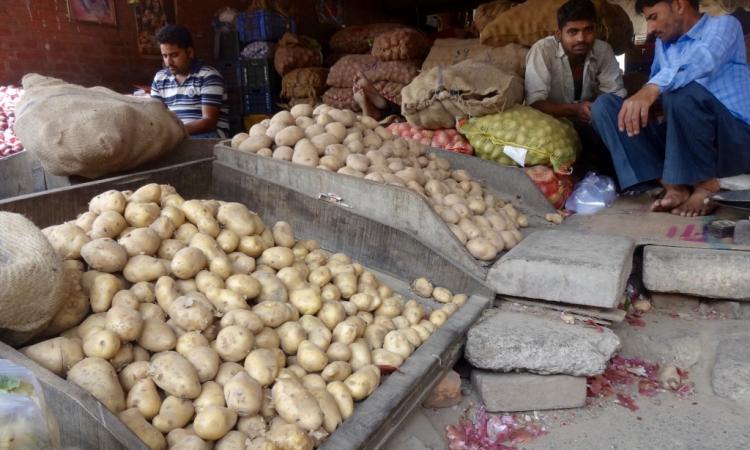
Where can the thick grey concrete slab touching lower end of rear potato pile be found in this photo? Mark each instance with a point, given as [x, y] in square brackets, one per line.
[566, 266]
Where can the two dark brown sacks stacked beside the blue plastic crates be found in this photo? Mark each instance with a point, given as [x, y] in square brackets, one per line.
[299, 60]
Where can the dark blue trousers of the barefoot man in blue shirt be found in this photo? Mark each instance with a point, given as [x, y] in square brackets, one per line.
[698, 141]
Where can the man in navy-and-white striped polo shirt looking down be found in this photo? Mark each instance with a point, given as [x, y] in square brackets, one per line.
[189, 88]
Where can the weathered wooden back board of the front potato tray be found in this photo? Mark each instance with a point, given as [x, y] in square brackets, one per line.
[372, 243]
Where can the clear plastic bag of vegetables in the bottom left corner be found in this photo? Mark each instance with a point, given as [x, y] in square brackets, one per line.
[26, 424]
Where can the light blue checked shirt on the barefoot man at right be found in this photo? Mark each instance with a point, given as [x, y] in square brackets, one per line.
[712, 54]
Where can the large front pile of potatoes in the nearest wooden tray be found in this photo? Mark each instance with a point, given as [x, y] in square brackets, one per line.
[211, 330]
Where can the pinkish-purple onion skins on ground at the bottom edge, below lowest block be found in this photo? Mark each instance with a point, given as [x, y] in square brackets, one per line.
[493, 432]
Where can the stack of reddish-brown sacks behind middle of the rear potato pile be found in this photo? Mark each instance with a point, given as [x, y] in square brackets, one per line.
[388, 55]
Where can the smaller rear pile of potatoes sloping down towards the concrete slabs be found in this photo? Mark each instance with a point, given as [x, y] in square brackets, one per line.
[338, 140]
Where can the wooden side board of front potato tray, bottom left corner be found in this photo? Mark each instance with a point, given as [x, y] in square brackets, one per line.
[84, 423]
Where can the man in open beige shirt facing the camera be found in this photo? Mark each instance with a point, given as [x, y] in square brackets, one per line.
[568, 71]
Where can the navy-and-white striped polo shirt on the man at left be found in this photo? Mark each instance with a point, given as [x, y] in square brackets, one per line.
[203, 86]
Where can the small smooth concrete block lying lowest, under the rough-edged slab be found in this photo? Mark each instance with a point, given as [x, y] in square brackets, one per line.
[511, 392]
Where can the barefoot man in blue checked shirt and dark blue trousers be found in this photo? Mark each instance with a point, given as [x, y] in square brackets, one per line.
[701, 74]
